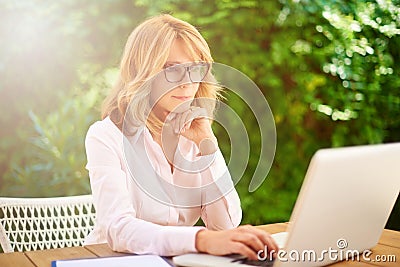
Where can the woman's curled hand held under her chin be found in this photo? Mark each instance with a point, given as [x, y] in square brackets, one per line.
[195, 125]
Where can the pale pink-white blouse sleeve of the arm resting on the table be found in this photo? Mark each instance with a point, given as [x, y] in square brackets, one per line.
[116, 216]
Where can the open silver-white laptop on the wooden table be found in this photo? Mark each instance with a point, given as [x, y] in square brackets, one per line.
[342, 208]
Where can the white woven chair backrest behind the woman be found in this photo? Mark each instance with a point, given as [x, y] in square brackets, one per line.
[43, 223]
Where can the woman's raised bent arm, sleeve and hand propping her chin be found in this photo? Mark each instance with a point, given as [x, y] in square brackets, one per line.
[221, 204]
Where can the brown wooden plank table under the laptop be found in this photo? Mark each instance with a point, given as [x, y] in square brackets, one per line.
[389, 244]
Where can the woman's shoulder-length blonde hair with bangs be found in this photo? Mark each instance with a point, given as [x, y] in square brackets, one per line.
[145, 54]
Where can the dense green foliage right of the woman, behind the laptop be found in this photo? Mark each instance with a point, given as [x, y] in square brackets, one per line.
[328, 71]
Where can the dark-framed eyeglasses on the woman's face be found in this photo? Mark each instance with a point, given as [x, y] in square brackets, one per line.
[197, 72]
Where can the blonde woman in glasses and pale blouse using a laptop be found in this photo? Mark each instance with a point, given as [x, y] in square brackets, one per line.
[155, 131]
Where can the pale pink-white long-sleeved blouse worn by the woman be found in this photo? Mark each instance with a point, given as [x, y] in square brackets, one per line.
[143, 207]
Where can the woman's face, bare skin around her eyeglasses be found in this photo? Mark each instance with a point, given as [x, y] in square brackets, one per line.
[176, 96]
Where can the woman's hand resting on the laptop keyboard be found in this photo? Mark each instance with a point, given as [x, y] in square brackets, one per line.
[246, 240]
